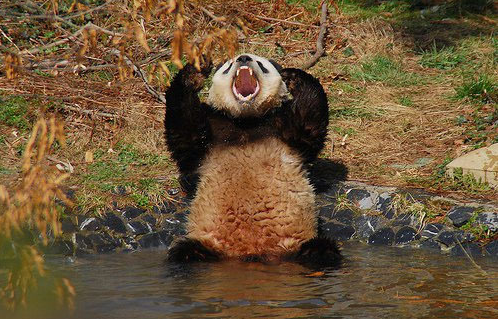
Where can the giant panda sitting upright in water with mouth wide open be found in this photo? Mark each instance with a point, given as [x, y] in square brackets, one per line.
[243, 158]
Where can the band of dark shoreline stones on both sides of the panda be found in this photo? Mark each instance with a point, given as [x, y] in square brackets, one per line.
[348, 211]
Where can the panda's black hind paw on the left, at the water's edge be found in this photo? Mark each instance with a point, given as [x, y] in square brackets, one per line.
[189, 250]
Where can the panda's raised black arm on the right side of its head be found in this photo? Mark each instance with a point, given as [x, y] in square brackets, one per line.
[302, 121]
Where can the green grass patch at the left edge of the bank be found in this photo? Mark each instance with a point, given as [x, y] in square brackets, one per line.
[14, 112]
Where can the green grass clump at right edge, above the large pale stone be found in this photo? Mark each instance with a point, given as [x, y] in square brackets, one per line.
[483, 89]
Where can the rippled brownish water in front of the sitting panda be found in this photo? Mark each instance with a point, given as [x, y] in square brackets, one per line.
[375, 282]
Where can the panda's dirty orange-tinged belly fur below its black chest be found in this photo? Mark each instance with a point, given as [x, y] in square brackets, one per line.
[253, 199]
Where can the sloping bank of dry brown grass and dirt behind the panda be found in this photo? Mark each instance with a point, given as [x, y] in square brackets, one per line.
[409, 89]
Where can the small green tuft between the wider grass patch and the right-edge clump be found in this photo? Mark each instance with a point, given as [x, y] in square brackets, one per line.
[443, 59]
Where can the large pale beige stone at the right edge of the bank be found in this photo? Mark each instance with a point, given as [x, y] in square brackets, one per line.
[481, 163]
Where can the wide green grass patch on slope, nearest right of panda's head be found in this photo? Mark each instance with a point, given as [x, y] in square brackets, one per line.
[385, 70]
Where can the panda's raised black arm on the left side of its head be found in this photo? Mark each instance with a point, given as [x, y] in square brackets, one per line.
[187, 129]
